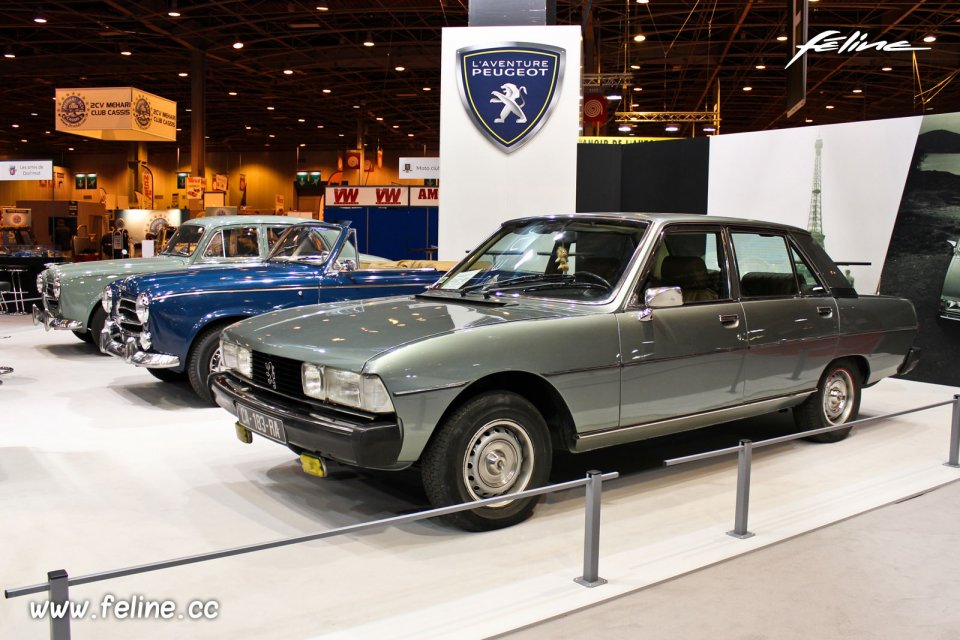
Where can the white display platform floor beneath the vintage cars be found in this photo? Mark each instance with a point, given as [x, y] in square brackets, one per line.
[102, 467]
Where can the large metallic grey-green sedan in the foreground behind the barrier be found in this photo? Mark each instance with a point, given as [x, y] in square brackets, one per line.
[570, 332]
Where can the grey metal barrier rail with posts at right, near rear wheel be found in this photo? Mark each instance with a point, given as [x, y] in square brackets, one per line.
[745, 455]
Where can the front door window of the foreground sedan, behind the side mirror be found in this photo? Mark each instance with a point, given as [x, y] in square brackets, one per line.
[693, 261]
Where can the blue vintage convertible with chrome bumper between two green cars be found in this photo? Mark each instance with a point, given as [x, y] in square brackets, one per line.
[170, 322]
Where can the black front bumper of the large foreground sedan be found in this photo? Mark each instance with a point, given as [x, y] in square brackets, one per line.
[372, 444]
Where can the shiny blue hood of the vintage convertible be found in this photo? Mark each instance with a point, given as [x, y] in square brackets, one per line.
[234, 277]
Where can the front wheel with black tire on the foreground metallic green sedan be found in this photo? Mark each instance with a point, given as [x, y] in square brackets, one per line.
[506, 433]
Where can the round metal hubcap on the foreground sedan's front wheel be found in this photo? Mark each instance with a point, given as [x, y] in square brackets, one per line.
[499, 460]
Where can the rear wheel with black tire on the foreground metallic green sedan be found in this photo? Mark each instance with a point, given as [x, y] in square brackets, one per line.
[836, 401]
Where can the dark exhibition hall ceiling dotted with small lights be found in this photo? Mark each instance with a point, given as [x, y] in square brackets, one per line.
[324, 85]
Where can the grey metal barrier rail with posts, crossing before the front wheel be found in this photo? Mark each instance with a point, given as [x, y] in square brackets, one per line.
[58, 582]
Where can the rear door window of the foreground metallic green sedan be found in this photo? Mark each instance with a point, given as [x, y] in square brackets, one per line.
[764, 264]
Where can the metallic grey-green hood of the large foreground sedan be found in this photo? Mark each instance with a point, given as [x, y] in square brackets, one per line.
[348, 334]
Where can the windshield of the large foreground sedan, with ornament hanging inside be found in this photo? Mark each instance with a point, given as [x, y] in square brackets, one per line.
[562, 258]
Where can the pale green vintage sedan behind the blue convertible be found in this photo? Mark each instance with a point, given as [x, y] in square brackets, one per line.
[71, 292]
